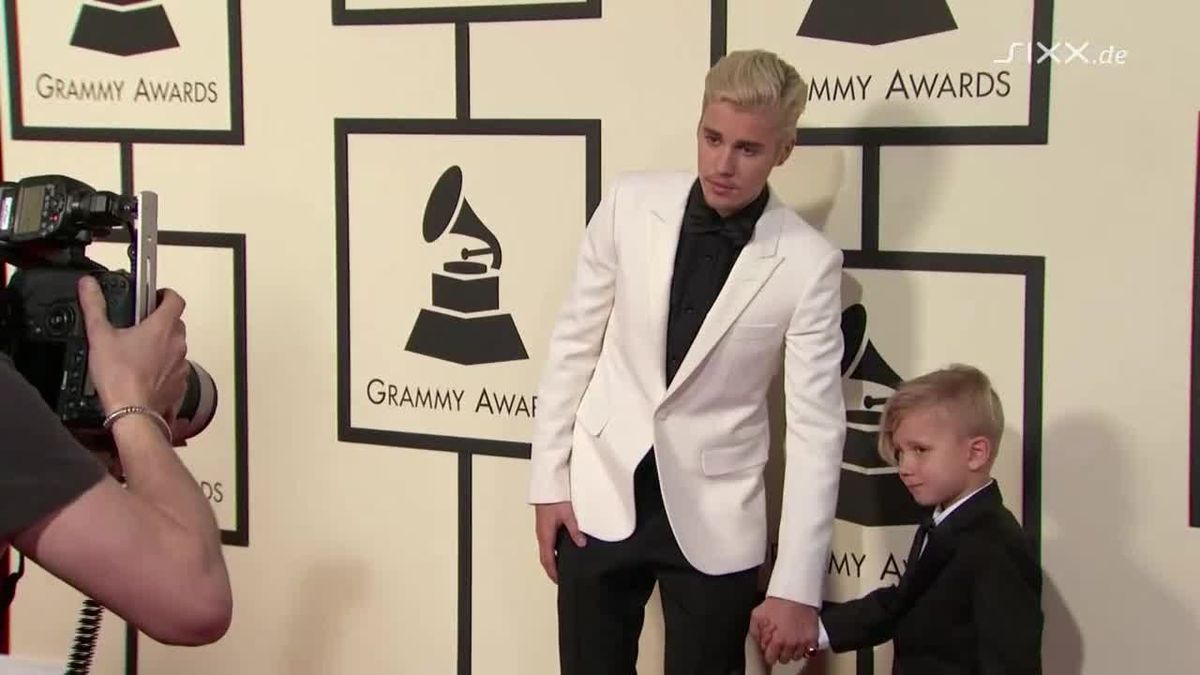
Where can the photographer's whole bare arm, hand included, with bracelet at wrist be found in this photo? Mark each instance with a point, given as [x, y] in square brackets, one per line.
[151, 552]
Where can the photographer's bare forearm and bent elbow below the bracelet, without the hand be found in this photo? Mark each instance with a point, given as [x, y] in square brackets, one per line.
[151, 553]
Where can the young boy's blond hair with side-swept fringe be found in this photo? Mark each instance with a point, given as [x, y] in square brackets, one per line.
[963, 392]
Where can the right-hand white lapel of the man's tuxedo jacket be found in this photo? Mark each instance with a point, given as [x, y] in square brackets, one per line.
[754, 266]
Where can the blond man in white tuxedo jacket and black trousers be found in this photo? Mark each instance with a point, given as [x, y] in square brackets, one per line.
[692, 291]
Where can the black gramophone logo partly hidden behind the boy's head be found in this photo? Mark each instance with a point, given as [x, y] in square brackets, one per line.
[871, 494]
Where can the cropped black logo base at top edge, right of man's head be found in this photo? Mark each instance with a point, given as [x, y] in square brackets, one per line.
[877, 22]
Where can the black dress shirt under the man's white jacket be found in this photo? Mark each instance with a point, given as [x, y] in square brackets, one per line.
[709, 248]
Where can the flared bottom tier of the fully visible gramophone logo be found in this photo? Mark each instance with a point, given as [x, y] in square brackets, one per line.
[466, 341]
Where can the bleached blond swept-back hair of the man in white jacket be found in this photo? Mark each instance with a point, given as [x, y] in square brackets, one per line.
[755, 79]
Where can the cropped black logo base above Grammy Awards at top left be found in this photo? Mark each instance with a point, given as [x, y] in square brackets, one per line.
[124, 28]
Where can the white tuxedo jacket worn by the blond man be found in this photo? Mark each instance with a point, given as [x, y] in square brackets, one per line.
[603, 402]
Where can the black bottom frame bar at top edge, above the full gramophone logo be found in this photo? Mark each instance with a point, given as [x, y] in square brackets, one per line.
[436, 14]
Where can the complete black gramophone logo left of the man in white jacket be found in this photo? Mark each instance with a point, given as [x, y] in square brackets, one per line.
[465, 326]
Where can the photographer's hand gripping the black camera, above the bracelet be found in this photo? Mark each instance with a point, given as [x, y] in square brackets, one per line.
[140, 366]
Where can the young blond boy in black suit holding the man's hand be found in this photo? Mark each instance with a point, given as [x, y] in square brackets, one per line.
[970, 598]
